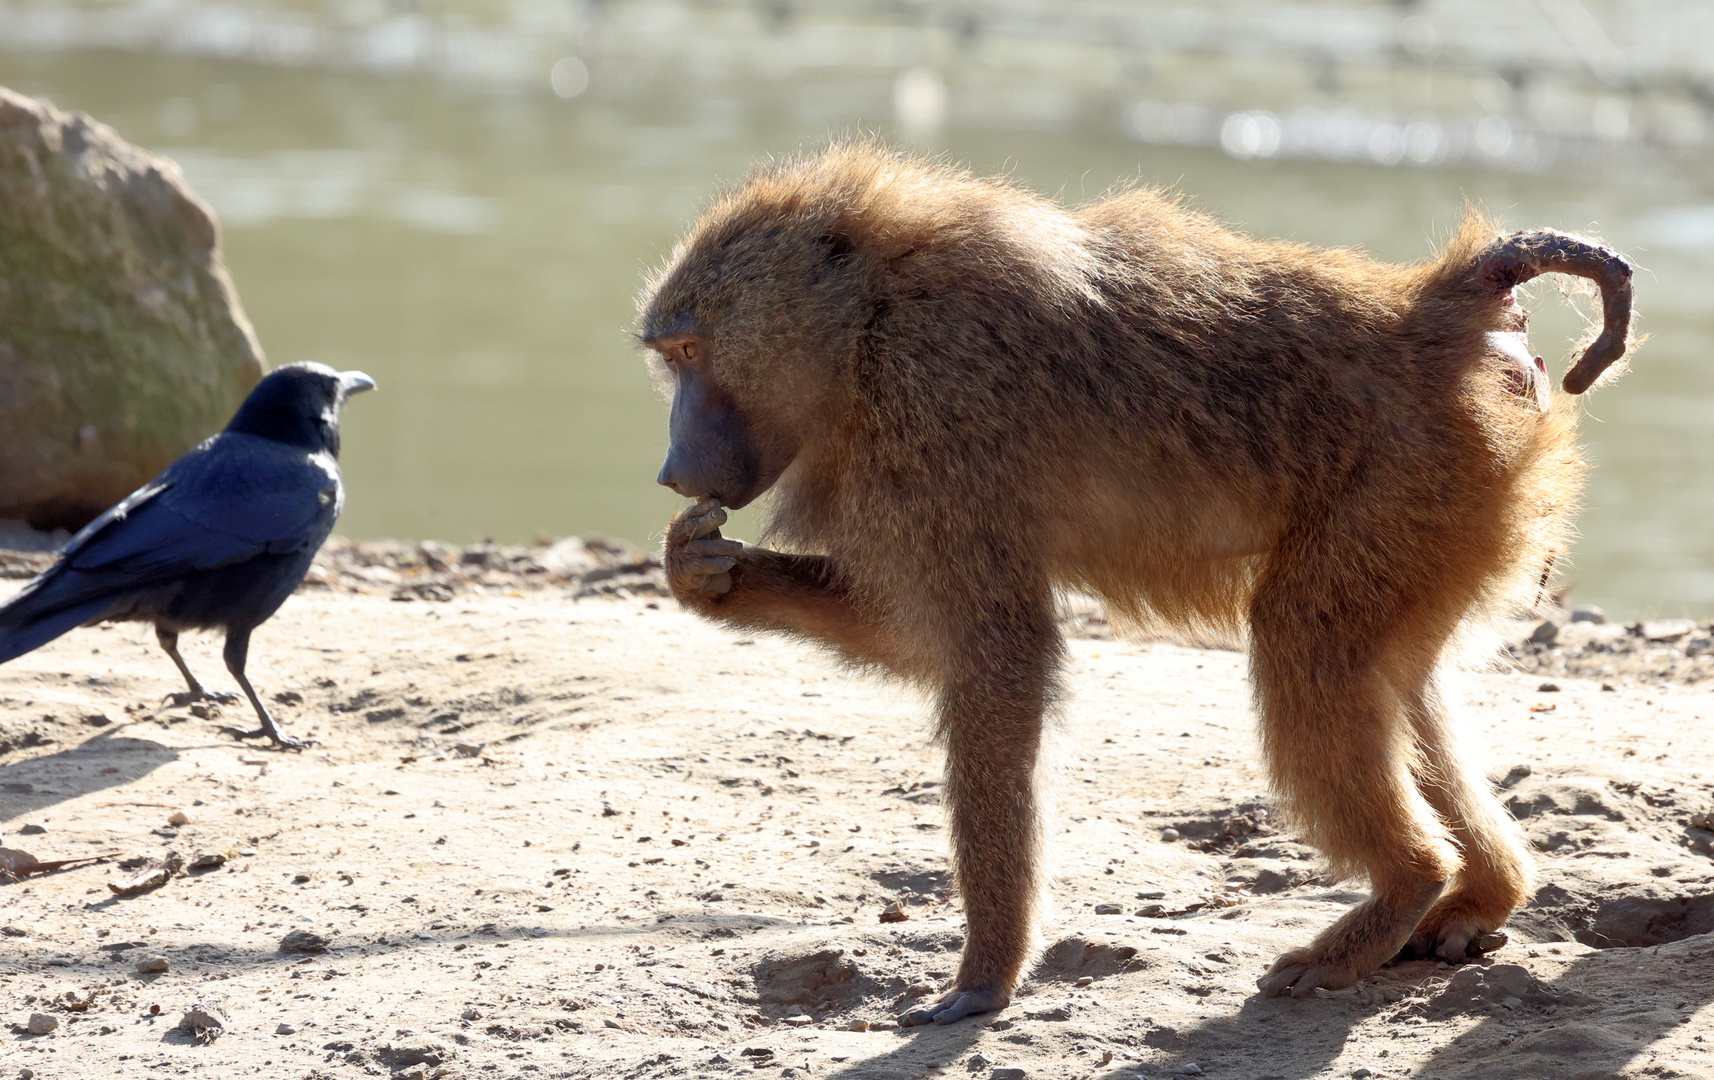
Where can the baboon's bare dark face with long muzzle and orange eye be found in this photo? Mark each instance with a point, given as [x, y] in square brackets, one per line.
[714, 450]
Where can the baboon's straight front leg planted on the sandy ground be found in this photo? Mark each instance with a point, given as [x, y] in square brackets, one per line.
[992, 719]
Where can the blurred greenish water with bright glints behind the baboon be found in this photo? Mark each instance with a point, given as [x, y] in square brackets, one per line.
[474, 227]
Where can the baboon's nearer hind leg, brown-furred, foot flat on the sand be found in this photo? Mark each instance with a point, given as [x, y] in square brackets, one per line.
[1339, 750]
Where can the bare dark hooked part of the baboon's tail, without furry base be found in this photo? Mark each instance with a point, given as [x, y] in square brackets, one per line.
[1543, 251]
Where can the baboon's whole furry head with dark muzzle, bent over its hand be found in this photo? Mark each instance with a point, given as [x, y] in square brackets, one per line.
[757, 320]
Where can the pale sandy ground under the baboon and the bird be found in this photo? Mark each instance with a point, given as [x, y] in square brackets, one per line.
[592, 837]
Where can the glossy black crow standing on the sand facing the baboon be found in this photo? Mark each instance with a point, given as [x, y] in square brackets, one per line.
[217, 541]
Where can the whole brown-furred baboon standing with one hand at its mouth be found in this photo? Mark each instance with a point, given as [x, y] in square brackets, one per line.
[964, 399]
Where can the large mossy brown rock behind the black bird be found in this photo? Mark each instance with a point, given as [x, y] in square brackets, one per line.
[121, 337]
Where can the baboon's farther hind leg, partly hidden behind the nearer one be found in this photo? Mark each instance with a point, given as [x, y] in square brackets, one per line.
[1495, 877]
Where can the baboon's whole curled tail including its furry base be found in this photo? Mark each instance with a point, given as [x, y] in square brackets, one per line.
[1490, 272]
